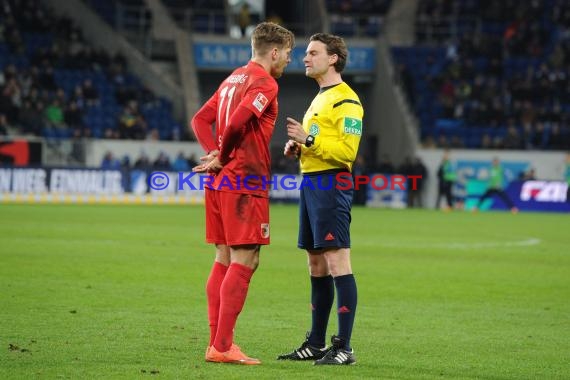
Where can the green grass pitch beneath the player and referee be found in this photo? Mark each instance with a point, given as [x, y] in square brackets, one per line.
[90, 292]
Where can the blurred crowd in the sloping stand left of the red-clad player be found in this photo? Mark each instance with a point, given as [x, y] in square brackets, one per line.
[54, 84]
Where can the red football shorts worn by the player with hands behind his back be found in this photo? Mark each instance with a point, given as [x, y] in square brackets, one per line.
[236, 219]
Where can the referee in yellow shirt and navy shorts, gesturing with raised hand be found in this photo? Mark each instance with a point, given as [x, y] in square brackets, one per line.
[327, 144]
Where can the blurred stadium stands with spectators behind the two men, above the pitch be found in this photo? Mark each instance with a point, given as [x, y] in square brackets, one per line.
[112, 84]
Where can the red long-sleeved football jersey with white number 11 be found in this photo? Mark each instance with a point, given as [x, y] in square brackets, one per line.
[249, 168]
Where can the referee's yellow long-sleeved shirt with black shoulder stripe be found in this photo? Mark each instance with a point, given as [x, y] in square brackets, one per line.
[335, 119]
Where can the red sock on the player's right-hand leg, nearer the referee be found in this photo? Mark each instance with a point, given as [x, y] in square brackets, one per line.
[232, 298]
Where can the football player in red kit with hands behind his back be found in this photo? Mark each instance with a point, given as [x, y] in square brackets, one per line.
[244, 109]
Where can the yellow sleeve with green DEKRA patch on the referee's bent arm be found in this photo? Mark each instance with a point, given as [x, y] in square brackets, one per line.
[348, 119]
